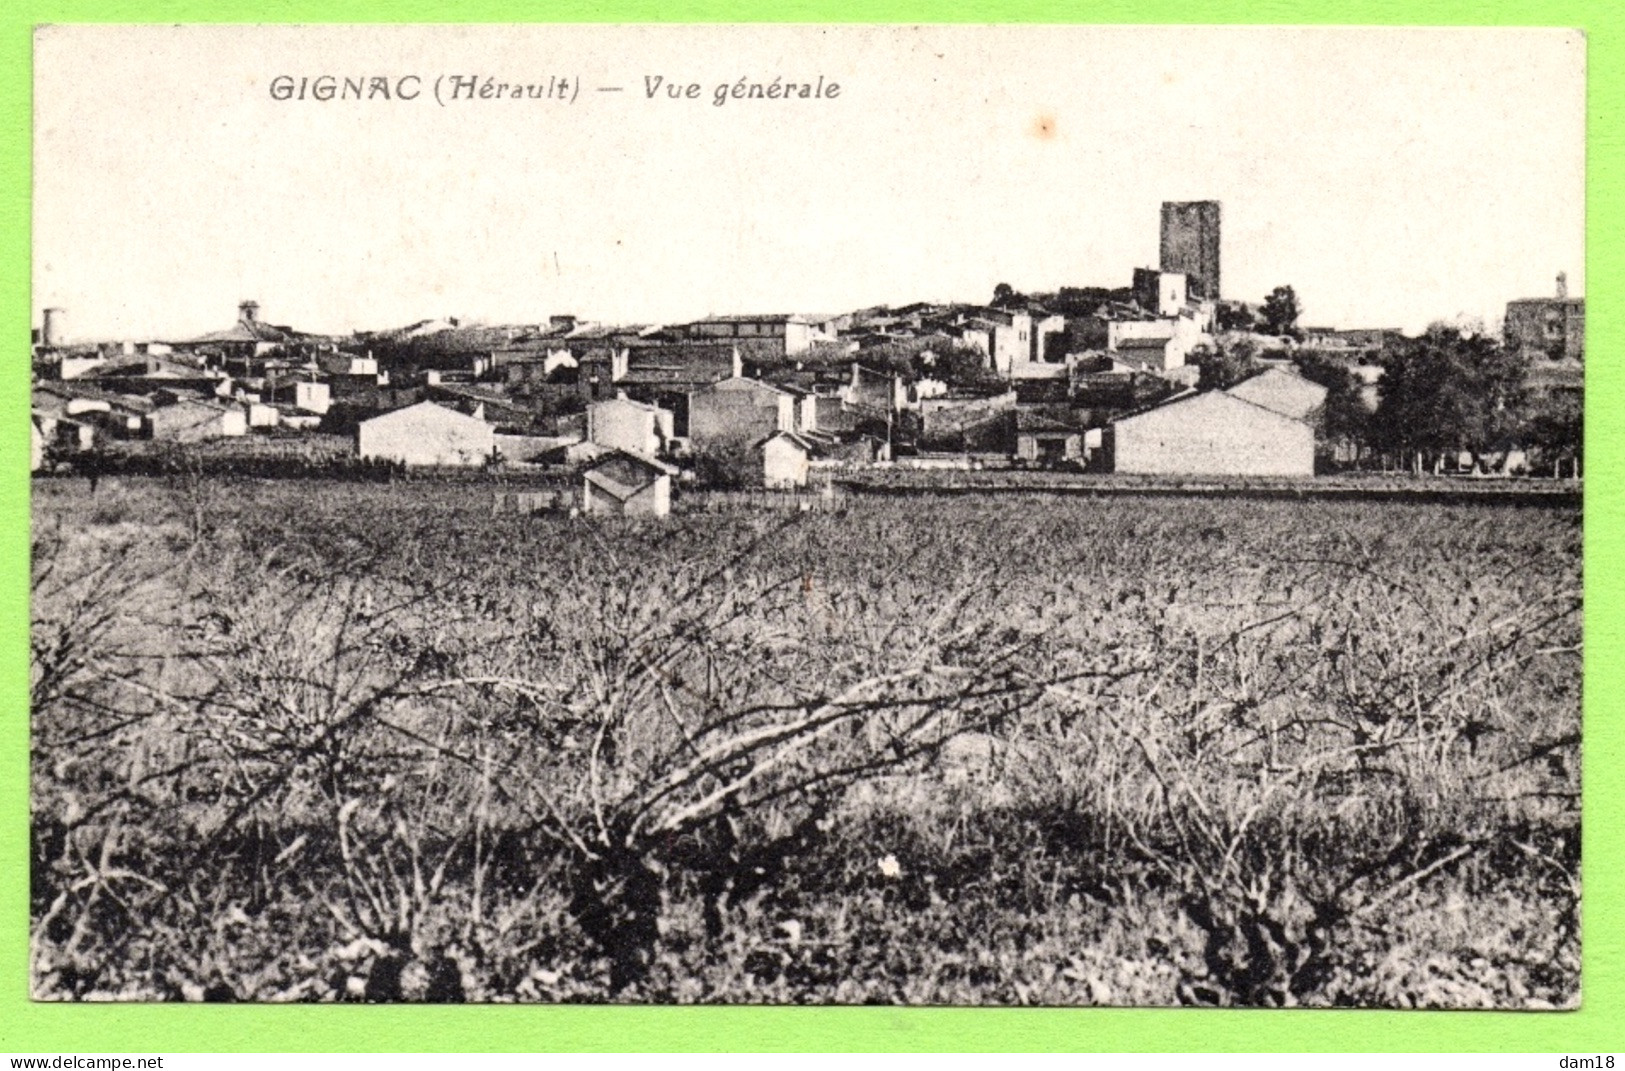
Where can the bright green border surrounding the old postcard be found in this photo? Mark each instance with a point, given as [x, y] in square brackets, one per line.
[1598, 1026]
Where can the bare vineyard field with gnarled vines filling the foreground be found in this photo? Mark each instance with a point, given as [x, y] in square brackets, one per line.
[326, 742]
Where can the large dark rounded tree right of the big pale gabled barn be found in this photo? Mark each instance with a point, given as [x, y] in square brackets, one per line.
[1450, 391]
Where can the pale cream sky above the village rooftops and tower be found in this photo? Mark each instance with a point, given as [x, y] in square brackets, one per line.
[1392, 176]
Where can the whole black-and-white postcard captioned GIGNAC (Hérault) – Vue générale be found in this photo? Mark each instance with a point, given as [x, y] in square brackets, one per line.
[795, 514]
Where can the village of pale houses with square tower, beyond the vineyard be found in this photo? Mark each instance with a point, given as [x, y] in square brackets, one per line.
[1158, 376]
